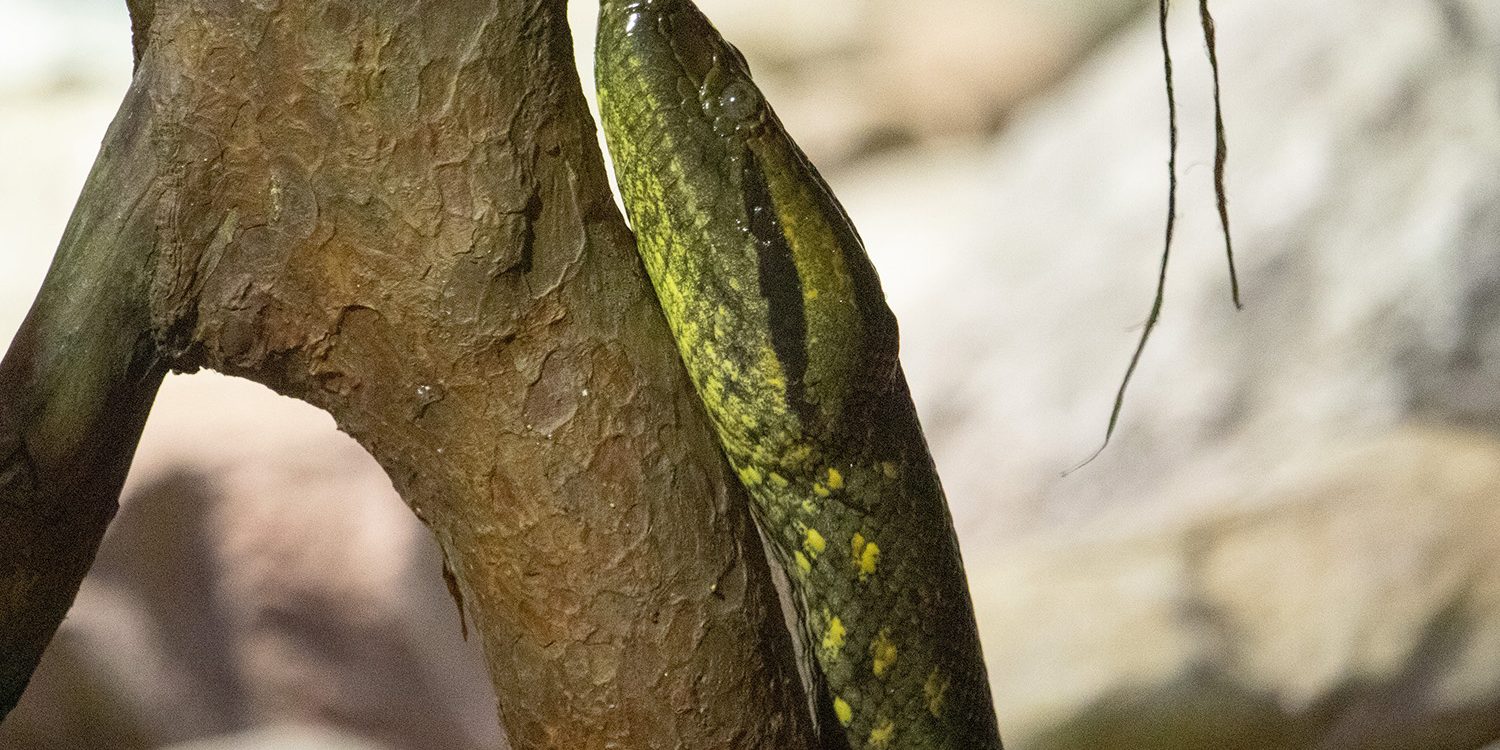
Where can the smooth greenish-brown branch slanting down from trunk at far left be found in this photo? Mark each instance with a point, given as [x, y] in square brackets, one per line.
[74, 392]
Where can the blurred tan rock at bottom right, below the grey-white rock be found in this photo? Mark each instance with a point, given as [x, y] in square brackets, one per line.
[1358, 608]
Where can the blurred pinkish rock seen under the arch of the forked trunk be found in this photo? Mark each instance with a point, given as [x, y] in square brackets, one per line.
[262, 571]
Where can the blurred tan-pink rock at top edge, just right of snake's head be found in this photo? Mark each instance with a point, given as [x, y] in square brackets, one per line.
[857, 77]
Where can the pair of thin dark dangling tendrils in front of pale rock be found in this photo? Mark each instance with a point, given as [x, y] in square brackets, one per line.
[1220, 158]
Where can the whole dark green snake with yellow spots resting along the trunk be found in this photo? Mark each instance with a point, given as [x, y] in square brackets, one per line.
[788, 340]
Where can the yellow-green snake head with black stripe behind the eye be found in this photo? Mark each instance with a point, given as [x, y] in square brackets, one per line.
[775, 304]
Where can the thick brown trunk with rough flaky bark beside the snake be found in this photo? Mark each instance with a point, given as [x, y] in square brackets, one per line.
[397, 212]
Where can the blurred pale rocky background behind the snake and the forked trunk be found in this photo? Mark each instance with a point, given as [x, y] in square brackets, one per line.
[1292, 544]
